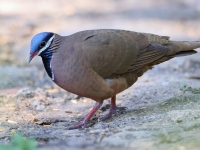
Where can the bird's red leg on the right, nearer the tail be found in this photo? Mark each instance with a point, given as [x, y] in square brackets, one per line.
[112, 110]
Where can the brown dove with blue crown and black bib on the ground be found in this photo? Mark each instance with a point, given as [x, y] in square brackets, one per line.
[99, 64]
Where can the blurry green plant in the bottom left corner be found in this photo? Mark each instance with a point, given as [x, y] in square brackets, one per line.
[18, 142]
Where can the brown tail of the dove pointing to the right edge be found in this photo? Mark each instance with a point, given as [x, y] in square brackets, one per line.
[182, 48]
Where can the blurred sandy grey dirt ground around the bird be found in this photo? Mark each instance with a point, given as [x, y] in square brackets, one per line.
[157, 116]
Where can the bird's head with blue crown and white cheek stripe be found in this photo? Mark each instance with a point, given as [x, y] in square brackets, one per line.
[39, 43]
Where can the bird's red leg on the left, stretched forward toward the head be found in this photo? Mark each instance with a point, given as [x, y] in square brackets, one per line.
[87, 118]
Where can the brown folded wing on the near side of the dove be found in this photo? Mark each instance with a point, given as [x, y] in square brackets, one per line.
[114, 52]
